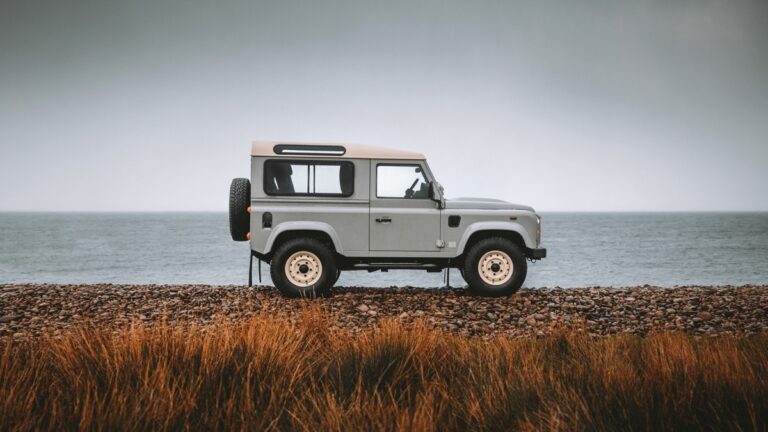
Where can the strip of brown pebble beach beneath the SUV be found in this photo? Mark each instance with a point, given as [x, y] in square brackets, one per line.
[28, 310]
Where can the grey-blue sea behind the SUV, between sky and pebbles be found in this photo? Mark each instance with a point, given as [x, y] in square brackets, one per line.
[583, 250]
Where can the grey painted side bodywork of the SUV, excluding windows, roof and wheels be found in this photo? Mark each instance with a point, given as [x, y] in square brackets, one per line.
[350, 221]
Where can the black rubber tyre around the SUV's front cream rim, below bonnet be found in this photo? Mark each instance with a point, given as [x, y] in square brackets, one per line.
[472, 272]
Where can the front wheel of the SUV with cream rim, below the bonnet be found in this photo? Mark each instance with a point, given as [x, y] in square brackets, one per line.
[495, 267]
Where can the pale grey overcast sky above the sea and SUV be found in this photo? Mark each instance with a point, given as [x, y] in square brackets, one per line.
[571, 105]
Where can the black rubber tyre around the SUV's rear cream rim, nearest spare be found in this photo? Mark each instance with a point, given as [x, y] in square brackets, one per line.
[283, 282]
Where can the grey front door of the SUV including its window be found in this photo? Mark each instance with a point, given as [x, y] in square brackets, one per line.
[402, 216]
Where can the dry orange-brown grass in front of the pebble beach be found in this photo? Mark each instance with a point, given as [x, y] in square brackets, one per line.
[271, 374]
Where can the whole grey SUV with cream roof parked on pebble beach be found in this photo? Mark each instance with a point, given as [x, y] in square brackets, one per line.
[315, 210]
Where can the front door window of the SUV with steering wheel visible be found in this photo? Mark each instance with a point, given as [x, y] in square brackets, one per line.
[401, 181]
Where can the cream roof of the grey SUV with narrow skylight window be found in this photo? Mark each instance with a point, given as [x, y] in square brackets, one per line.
[351, 151]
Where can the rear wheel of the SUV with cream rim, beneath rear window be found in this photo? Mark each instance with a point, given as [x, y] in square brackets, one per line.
[303, 267]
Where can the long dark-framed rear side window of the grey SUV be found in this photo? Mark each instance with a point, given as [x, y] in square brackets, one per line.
[309, 178]
